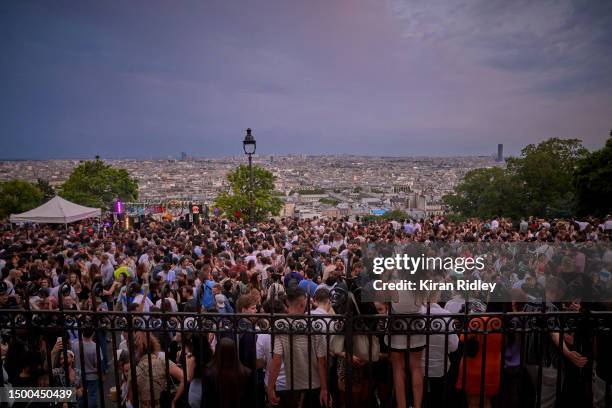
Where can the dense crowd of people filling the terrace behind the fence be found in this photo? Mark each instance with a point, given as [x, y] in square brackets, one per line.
[298, 267]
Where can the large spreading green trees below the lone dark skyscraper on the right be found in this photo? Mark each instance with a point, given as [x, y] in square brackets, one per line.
[540, 182]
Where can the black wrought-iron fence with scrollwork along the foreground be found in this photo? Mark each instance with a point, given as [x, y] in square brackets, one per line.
[475, 359]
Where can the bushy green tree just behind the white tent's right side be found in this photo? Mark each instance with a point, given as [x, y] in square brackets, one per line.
[96, 184]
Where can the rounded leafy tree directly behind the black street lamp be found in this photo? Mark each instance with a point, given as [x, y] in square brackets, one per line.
[265, 202]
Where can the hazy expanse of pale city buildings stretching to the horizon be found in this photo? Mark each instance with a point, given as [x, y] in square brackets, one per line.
[310, 186]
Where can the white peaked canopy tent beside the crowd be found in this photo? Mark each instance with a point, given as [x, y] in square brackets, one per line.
[57, 211]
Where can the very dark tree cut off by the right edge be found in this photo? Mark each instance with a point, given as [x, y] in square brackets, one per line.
[593, 182]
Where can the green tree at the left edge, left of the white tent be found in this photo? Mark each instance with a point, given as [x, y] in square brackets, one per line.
[17, 196]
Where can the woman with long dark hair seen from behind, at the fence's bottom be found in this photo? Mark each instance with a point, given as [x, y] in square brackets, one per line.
[226, 381]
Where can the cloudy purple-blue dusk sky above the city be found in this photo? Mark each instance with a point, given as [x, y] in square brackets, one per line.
[393, 77]
